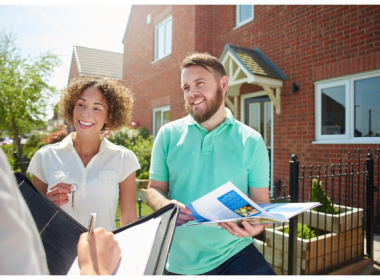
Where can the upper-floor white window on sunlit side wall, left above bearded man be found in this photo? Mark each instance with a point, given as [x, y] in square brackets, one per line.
[163, 38]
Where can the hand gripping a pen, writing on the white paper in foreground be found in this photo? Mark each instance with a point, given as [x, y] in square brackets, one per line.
[100, 256]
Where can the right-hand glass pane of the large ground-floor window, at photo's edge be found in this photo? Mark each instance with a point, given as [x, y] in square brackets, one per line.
[367, 108]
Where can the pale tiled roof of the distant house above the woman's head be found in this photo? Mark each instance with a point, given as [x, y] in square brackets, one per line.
[98, 63]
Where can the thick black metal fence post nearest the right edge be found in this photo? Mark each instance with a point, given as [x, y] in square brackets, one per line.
[369, 205]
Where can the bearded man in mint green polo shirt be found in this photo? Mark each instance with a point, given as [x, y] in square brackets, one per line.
[199, 153]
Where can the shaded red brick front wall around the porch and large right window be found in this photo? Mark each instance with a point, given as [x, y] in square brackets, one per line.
[307, 43]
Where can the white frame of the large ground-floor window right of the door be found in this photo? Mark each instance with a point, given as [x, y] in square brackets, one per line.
[348, 137]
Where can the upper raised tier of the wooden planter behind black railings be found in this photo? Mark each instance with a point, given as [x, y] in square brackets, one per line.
[345, 221]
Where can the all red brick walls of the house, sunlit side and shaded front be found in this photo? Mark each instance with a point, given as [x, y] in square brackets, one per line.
[306, 42]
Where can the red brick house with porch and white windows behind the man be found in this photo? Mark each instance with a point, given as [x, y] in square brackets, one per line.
[307, 77]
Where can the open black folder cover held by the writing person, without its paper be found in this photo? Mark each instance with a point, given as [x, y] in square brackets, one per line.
[60, 232]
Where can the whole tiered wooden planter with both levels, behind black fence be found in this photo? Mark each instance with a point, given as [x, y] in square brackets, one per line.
[315, 254]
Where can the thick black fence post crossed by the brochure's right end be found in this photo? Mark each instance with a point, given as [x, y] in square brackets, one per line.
[293, 222]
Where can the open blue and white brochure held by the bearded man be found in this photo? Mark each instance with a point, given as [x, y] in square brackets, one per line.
[228, 203]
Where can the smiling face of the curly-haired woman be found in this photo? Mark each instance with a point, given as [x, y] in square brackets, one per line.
[90, 112]
